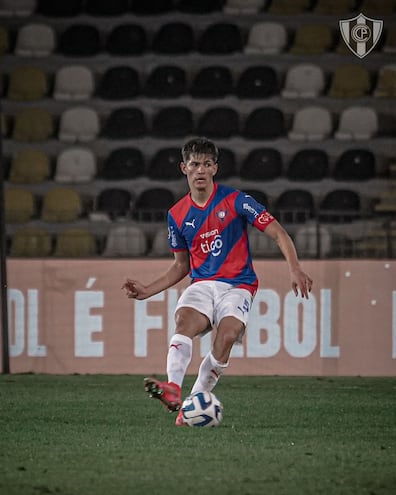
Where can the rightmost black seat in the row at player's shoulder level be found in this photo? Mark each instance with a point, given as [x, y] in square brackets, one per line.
[339, 206]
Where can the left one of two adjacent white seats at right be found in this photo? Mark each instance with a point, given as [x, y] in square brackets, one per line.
[311, 123]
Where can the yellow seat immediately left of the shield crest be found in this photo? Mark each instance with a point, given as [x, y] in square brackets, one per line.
[312, 39]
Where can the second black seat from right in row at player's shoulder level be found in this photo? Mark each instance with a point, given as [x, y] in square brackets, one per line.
[294, 206]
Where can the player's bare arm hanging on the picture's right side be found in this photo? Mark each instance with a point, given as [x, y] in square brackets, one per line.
[300, 281]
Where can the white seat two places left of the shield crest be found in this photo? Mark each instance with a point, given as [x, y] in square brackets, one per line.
[266, 38]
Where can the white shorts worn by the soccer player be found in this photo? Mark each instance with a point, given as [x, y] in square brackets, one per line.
[216, 300]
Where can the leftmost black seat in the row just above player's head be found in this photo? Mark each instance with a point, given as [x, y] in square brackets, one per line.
[124, 123]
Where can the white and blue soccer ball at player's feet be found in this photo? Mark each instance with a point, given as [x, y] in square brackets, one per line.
[202, 409]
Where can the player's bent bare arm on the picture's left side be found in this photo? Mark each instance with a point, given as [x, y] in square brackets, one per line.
[176, 272]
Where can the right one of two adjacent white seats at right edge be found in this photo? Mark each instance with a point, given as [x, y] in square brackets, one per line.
[357, 123]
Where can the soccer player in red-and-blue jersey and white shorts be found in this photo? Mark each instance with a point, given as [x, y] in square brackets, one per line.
[207, 231]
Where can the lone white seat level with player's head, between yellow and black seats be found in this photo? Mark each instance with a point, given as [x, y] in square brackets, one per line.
[75, 165]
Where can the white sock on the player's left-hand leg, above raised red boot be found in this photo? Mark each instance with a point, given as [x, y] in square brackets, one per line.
[179, 357]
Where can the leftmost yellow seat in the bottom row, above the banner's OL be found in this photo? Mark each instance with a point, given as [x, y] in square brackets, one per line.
[31, 243]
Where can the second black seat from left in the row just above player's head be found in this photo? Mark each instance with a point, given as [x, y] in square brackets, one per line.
[174, 121]
